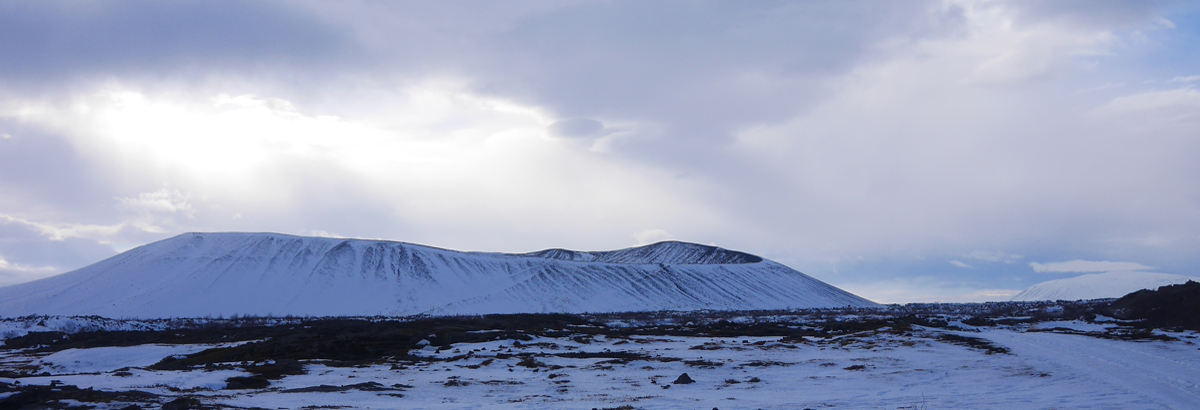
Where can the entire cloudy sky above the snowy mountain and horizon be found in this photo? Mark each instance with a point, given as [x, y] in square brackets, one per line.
[907, 152]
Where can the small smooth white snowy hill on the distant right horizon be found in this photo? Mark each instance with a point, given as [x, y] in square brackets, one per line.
[1099, 286]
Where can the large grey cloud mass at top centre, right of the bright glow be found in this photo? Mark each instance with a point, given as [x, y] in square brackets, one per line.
[698, 68]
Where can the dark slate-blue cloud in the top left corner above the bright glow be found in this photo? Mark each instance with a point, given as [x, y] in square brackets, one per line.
[46, 41]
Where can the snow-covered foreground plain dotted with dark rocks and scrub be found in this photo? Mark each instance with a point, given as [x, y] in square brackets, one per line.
[1048, 365]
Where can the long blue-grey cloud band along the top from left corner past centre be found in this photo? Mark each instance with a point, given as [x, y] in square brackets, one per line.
[700, 69]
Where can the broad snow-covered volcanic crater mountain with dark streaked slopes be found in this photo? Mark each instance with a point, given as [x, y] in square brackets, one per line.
[226, 274]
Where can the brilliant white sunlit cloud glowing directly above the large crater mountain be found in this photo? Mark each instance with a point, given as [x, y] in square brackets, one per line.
[454, 161]
